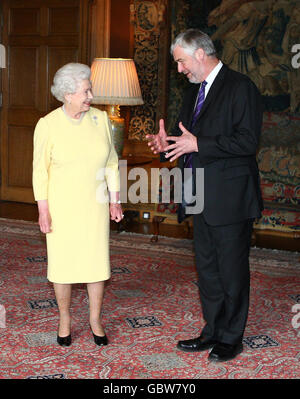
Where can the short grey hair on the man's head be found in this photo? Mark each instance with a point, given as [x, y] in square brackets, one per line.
[193, 39]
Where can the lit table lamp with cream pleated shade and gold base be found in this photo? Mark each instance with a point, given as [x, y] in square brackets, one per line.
[115, 82]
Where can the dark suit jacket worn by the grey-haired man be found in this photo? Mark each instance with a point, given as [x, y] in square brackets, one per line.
[227, 130]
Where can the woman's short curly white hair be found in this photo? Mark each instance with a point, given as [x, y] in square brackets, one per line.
[67, 79]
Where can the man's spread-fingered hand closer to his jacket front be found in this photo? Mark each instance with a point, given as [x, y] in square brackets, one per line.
[184, 144]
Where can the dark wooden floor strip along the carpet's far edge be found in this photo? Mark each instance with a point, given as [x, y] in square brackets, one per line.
[29, 212]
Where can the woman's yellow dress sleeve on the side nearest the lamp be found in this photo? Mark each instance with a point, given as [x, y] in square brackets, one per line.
[112, 176]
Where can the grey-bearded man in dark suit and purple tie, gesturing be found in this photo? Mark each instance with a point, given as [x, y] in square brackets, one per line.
[218, 129]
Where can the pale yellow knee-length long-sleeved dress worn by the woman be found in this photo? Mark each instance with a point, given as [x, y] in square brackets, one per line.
[74, 164]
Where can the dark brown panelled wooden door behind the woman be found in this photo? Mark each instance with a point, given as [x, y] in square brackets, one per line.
[40, 36]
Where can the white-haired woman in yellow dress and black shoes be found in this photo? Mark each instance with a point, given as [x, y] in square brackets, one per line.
[74, 158]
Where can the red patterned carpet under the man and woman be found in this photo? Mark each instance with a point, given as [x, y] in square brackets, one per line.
[150, 303]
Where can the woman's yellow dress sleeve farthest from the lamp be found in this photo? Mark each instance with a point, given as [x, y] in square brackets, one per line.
[41, 160]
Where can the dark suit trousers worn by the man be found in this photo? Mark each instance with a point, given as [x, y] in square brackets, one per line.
[222, 262]
